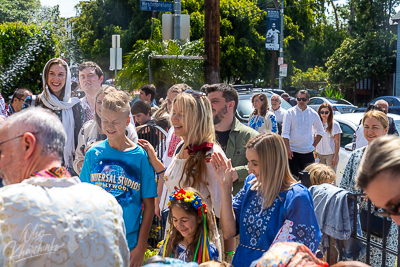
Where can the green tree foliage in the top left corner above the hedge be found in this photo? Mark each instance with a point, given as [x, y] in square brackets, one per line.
[14, 11]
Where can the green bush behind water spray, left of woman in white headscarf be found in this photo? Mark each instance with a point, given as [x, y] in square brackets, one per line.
[24, 50]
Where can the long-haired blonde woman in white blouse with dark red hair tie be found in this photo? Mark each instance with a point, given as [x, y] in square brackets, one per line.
[192, 118]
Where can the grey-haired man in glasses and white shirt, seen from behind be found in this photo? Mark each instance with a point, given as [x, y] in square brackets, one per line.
[47, 217]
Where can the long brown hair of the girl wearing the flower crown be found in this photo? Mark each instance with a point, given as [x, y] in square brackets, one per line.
[176, 237]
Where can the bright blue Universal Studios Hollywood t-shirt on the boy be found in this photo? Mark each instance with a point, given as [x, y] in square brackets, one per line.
[127, 175]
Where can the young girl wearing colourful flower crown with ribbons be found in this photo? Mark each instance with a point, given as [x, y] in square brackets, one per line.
[191, 229]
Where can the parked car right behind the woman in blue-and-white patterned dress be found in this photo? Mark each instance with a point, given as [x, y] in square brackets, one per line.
[245, 107]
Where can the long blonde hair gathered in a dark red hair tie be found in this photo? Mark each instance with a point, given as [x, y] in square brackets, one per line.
[198, 122]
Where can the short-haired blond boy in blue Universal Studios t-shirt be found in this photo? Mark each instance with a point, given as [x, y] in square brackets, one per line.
[122, 168]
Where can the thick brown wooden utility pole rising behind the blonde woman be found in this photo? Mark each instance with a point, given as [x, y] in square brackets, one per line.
[211, 41]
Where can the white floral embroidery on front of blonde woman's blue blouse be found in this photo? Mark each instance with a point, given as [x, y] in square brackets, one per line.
[256, 219]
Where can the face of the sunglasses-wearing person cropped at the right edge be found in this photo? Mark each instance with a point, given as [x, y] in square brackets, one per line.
[384, 191]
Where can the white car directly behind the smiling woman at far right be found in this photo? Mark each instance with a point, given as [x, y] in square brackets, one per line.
[348, 123]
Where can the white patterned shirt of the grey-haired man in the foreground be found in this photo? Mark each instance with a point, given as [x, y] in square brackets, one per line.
[60, 222]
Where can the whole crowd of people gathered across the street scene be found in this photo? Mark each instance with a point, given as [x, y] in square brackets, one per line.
[83, 179]
